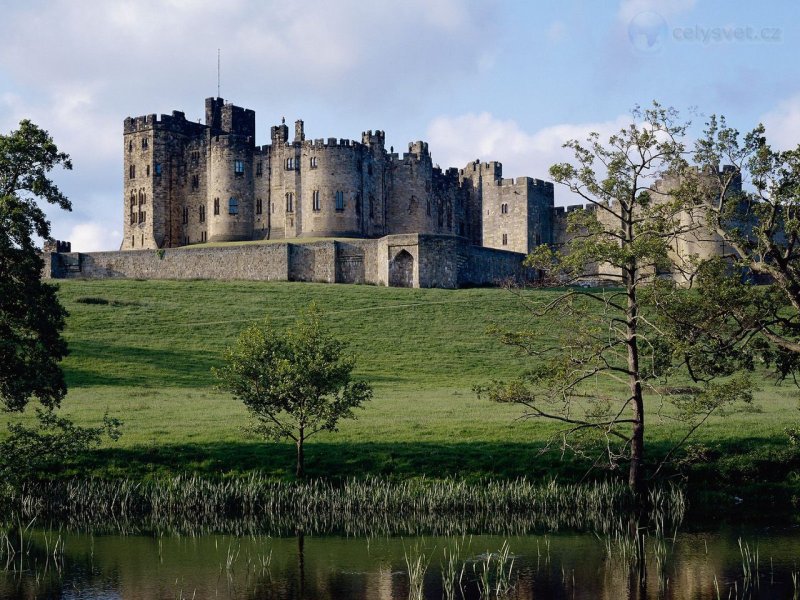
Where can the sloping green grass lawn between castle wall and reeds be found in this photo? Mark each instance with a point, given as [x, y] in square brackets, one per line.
[146, 356]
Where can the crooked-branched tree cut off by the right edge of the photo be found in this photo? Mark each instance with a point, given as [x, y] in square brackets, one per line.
[761, 228]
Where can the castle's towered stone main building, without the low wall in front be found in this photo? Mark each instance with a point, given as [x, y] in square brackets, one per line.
[188, 183]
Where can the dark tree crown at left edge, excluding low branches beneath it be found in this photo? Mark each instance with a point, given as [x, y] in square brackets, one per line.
[31, 318]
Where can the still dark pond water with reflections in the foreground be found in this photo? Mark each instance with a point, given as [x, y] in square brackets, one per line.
[729, 563]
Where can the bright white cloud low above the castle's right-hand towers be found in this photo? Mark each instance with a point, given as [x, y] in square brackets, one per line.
[456, 141]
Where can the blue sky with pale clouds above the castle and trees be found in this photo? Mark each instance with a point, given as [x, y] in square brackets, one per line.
[497, 80]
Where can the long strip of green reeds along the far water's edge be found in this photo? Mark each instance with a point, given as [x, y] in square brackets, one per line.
[355, 507]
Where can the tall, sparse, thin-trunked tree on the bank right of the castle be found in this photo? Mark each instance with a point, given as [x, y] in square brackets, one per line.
[626, 237]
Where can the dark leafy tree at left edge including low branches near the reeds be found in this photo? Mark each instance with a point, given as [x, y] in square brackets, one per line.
[31, 318]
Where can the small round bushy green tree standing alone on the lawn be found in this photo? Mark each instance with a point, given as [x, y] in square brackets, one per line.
[294, 383]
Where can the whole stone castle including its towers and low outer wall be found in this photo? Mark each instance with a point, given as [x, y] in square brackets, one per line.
[394, 219]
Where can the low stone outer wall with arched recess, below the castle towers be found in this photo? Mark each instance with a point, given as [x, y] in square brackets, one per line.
[410, 260]
